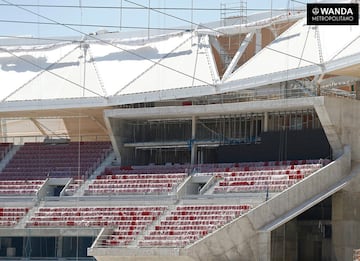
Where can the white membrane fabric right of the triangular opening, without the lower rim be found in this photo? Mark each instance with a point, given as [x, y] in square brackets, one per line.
[299, 48]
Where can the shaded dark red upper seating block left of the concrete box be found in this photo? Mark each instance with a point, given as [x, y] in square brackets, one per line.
[42, 160]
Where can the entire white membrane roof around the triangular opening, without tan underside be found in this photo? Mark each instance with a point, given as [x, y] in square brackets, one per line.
[177, 65]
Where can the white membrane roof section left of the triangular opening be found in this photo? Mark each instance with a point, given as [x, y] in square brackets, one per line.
[112, 68]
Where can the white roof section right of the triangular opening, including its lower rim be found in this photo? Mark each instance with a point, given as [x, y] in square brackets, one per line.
[302, 51]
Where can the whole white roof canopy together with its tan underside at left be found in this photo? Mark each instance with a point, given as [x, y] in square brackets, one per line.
[65, 79]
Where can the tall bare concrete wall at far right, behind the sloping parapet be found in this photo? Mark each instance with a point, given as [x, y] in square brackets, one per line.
[345, 115]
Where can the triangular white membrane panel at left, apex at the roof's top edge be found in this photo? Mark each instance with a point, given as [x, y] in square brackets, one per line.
[63, 79]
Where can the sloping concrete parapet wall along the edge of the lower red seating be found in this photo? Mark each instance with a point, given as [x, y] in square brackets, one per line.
[248, 237]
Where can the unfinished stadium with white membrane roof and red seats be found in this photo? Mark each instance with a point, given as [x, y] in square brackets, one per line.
[234, 140]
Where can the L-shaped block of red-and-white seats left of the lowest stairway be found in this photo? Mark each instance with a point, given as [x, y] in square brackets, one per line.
[129, 221]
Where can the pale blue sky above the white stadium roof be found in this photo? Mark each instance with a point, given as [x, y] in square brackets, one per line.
[74, 17]
